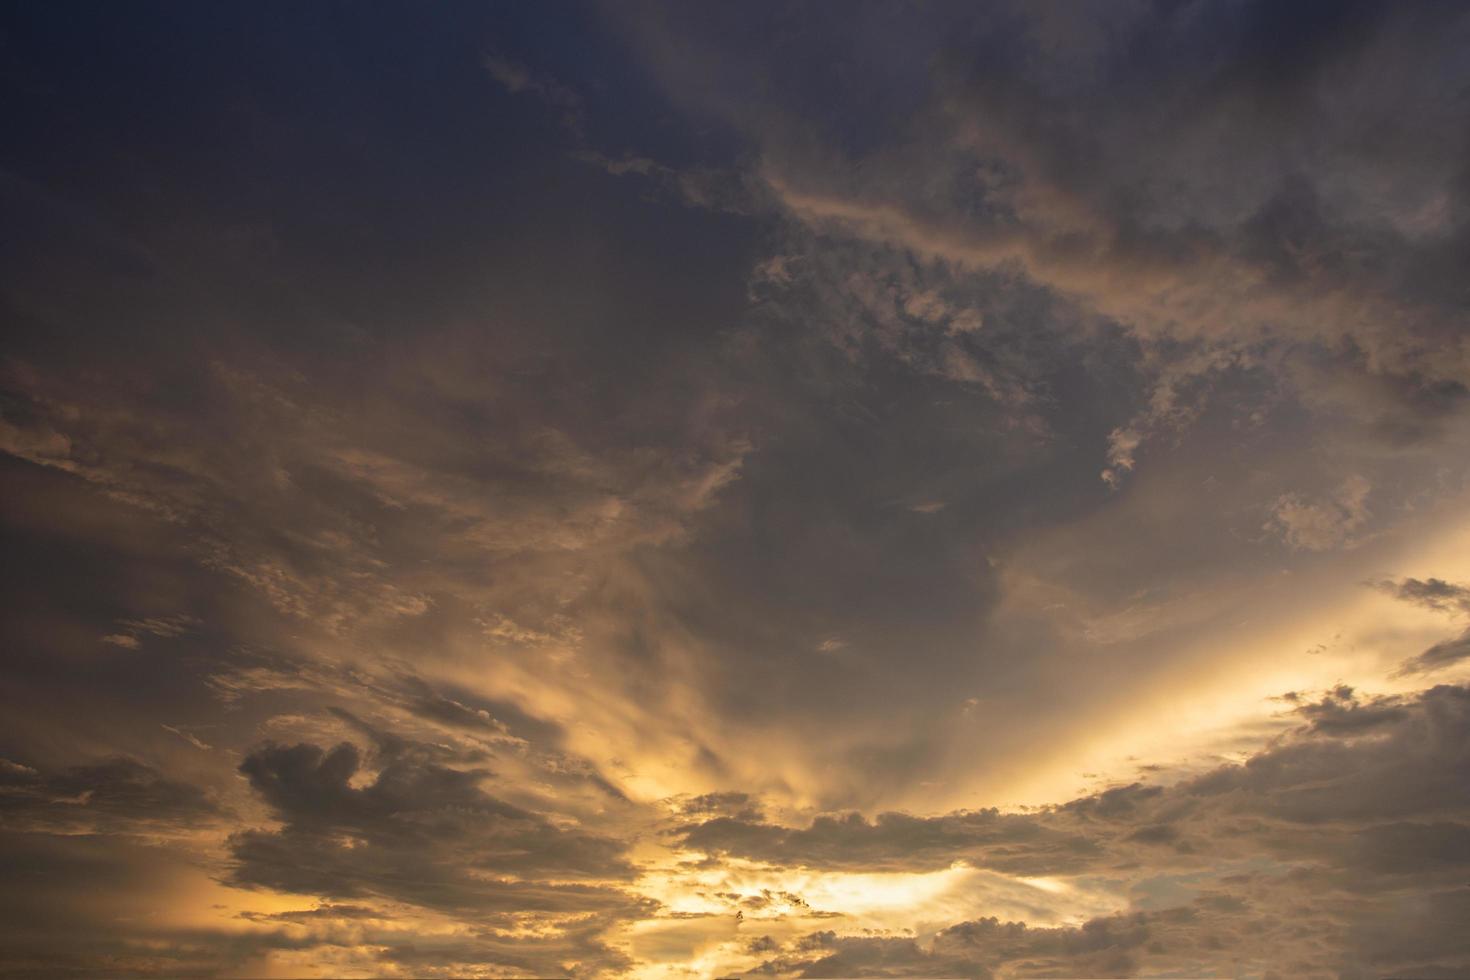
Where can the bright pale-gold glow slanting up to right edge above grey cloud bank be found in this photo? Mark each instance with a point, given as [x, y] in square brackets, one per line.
[1299, 634]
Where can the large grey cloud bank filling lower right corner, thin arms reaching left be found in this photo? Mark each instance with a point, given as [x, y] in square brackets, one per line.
[1353, 821]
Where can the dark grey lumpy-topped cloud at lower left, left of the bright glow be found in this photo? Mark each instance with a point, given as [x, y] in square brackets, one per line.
[418, 834]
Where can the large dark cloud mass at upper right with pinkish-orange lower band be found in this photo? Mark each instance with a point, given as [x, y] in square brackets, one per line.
[1281, 256]
